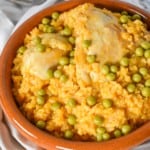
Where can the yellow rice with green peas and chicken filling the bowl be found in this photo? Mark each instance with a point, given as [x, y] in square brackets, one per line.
[84, 74]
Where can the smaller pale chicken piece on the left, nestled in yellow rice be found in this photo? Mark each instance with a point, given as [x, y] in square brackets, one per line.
[37, 63]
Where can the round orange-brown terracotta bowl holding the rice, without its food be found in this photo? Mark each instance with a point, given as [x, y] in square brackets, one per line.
[28, 130]
